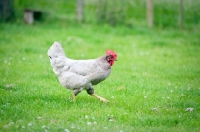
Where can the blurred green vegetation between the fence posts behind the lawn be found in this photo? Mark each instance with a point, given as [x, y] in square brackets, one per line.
[114, 12]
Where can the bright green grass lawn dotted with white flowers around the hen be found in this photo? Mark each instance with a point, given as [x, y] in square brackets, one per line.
[156, 77]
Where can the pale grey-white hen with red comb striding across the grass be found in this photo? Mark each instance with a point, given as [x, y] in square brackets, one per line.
[78, 75]
